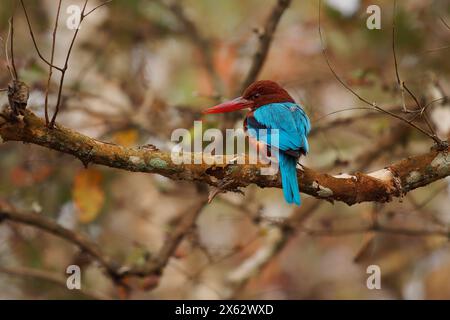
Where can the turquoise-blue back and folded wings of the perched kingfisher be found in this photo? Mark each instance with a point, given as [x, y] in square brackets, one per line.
[288, 118]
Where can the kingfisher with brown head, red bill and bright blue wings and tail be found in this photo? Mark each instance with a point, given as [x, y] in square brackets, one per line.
[271, 107]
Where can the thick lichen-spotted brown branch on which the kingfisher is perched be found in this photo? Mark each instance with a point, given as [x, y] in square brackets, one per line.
[381, 186]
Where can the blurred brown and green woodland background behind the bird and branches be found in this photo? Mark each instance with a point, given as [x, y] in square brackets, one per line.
[140, 69]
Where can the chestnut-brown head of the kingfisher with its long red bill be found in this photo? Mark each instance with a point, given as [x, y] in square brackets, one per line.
[256, 95]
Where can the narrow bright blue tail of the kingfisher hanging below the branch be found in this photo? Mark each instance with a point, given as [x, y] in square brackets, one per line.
[289, 178]
